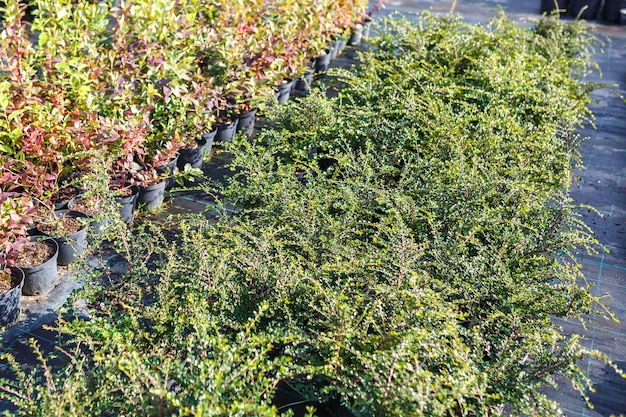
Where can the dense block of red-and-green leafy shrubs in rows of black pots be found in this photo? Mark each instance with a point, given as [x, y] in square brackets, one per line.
[136, 91]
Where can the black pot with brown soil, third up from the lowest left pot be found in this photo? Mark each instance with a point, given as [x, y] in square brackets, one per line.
[69, 230]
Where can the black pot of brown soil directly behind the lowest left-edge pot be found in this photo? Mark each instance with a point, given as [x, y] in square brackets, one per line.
[38, 260]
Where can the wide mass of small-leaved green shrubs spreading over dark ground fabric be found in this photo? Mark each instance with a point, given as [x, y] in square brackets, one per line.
[417, 275]
